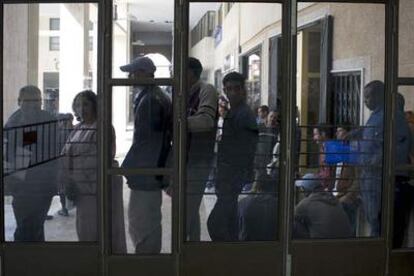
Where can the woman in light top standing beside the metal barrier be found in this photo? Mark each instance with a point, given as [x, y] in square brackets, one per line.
[79, 165]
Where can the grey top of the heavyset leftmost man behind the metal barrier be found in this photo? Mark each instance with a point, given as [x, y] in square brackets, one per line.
[31, 153]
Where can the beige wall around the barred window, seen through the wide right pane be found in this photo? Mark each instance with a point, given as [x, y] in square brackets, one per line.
[359, 40]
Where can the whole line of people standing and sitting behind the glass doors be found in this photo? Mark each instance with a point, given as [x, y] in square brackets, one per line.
[228, 148]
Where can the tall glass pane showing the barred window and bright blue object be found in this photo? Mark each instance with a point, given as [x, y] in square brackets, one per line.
[339, 133]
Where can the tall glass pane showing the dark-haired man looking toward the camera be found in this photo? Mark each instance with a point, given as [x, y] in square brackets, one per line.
[233, 153]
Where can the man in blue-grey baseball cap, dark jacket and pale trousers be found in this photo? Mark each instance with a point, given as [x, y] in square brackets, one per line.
[149, 149]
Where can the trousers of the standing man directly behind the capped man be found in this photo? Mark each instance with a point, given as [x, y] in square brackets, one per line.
[197, 177]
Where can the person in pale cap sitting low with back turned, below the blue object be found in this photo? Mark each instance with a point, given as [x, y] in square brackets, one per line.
[319, 214]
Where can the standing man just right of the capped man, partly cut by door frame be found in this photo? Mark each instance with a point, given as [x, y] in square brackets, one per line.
[202, 124]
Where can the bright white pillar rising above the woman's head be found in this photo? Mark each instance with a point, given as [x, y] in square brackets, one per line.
[73, 53]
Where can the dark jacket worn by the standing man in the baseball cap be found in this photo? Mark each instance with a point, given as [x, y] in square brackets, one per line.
[152, 137]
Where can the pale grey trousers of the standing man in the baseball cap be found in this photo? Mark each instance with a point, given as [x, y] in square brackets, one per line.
[144, 214]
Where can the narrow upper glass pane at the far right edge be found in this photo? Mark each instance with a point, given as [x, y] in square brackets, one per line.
[406, 39]
